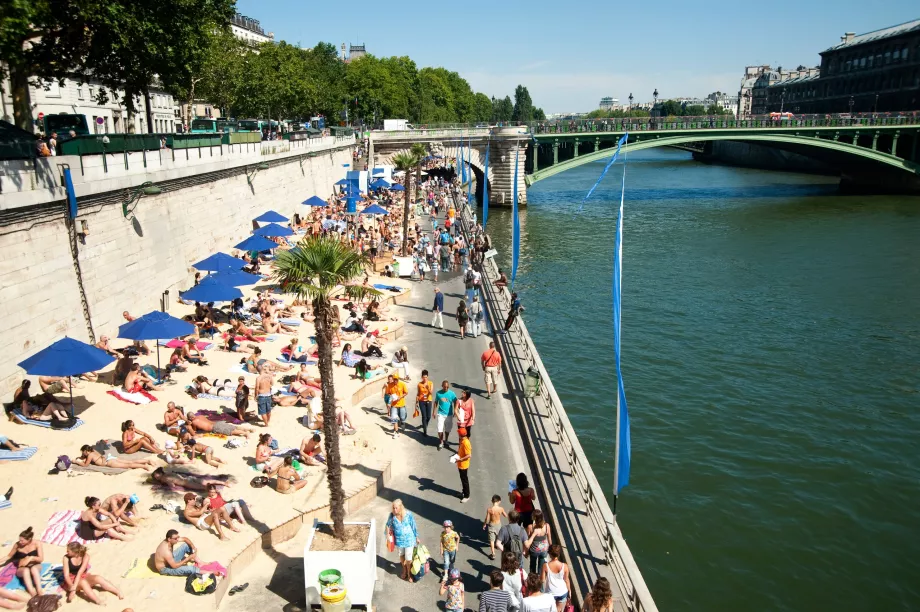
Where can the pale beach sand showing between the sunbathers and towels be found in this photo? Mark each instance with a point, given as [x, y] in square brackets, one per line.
[38, 494]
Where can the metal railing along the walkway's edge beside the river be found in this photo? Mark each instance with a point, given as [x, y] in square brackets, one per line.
[519, 353]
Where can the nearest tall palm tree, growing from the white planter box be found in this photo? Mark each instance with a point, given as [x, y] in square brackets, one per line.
[312, 271]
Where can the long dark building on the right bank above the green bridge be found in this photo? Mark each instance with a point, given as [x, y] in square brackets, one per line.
[877, 71]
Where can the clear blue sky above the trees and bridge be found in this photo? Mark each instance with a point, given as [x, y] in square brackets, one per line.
[569, 55]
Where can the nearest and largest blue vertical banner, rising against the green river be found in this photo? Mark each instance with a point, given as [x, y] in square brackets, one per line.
[623, 444]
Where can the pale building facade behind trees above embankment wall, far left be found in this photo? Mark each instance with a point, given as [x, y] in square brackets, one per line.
[72, 97]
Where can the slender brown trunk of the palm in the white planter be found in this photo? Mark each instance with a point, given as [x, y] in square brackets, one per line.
[324, 333]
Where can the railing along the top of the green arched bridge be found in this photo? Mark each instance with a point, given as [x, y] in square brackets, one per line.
[640, 124]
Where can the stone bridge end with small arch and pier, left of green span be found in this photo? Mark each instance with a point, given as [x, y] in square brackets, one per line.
[505, 145]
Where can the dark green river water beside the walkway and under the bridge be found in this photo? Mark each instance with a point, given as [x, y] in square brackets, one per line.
[771, 355]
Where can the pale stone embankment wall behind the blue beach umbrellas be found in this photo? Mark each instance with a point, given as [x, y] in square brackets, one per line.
[125, 264]
